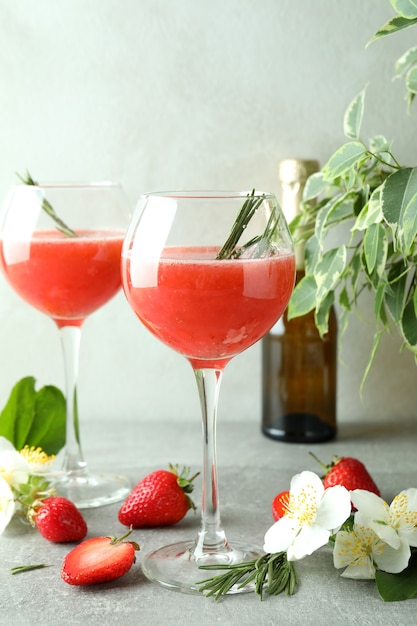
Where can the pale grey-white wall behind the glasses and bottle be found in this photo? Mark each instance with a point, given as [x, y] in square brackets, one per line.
[162, 94]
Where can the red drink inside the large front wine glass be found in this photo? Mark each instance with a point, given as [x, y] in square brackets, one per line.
[208, 310]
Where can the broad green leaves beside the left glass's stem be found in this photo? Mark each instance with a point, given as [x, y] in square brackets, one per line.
[34, 418]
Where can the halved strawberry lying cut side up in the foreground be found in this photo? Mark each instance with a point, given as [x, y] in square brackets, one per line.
[99, 560]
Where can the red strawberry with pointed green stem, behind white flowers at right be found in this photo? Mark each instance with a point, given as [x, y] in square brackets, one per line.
[350, 473]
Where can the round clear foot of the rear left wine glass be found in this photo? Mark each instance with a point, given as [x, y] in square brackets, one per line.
[88, 491]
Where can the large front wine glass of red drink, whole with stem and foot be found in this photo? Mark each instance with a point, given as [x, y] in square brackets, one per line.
[208, 273]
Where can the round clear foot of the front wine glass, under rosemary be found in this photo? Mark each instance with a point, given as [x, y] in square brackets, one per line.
[175, 566]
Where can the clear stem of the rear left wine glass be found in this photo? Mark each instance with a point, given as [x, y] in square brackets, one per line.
[70, 341]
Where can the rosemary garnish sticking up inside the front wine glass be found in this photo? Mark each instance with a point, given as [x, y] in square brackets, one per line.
[260, 243]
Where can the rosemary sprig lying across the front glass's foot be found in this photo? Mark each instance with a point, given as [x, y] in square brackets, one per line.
[270, 573]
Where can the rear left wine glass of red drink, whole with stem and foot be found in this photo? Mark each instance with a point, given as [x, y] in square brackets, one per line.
[60, 247]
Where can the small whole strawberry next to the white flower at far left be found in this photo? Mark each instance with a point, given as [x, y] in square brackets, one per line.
[58, 520]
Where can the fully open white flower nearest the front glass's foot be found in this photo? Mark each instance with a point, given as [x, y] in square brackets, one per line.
[314, 514]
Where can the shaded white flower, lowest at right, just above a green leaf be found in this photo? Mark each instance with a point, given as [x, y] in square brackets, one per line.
[361, 551]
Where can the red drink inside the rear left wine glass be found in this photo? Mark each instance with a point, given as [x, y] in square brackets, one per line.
[66, 278]
